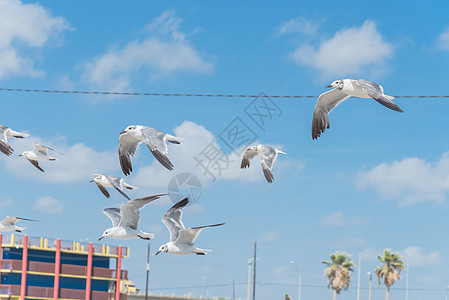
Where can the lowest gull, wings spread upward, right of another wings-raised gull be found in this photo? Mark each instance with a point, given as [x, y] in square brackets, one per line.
[181, 239]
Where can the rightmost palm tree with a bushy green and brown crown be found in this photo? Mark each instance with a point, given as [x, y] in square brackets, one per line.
[389, 270]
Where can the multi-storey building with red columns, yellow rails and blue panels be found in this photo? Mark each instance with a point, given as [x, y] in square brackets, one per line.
[43, 268]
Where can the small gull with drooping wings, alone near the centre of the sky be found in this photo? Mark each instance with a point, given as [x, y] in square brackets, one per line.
[267, 157]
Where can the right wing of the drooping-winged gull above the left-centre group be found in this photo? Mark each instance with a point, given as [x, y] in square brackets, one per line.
[156, 142]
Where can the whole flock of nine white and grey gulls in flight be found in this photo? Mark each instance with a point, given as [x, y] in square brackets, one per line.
[125, 219]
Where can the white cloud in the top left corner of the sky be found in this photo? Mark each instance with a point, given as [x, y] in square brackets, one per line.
[24, 26]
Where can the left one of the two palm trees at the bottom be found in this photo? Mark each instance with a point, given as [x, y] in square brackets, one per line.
[337, 271]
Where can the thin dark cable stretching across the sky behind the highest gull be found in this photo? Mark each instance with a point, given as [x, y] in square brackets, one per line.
[189, 95]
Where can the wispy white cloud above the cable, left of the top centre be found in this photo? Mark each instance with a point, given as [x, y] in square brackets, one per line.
[163, 51]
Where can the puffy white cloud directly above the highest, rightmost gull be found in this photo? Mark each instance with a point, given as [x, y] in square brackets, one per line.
[352, 51]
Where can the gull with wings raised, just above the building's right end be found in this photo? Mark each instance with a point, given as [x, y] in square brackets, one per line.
[126, 219]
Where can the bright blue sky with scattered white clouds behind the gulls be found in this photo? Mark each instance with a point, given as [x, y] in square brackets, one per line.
[376, 179]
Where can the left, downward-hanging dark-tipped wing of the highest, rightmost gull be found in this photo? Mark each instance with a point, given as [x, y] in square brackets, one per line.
[325, 104]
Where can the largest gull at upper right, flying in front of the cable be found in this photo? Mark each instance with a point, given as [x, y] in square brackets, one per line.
[342, 90]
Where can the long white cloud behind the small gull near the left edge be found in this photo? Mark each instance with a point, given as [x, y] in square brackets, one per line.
[78, 163]
